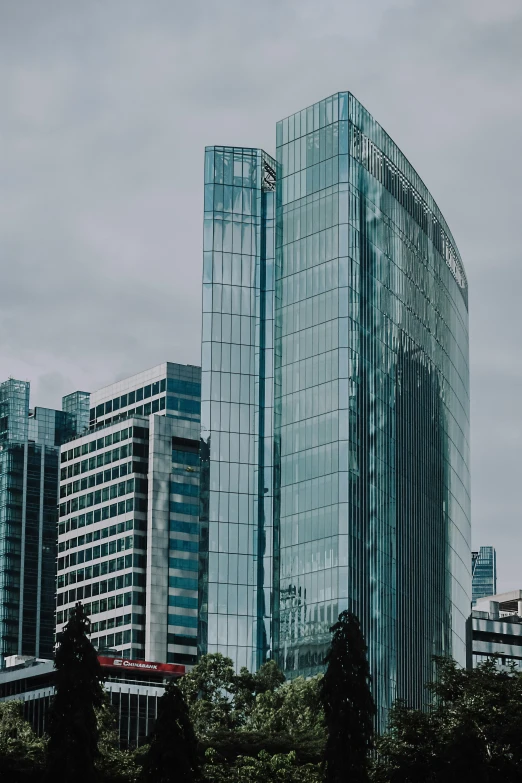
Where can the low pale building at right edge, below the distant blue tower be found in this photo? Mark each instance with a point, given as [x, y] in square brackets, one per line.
[497, 629]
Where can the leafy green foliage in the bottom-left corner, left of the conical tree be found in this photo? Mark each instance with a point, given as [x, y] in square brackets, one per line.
[22, 753]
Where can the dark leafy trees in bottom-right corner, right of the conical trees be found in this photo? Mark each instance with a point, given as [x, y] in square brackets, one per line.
[472, 732]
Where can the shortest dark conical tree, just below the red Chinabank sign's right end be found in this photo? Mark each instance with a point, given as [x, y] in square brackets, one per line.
[173, 752]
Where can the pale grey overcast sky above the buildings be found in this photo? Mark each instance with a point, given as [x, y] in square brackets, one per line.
[106, 106]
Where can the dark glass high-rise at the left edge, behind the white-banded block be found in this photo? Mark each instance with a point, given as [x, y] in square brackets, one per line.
[29, 472]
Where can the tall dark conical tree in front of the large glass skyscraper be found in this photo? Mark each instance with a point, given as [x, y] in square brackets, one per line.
[348, 705]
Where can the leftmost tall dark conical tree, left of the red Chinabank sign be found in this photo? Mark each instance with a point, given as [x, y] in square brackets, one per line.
[73, 732]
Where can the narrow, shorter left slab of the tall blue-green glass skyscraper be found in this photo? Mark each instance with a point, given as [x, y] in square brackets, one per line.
[237, 405]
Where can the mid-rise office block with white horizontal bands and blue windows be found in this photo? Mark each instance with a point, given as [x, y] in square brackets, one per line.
[128, 529]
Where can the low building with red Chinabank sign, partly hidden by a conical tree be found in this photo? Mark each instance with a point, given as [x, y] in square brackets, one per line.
[133, 688]
